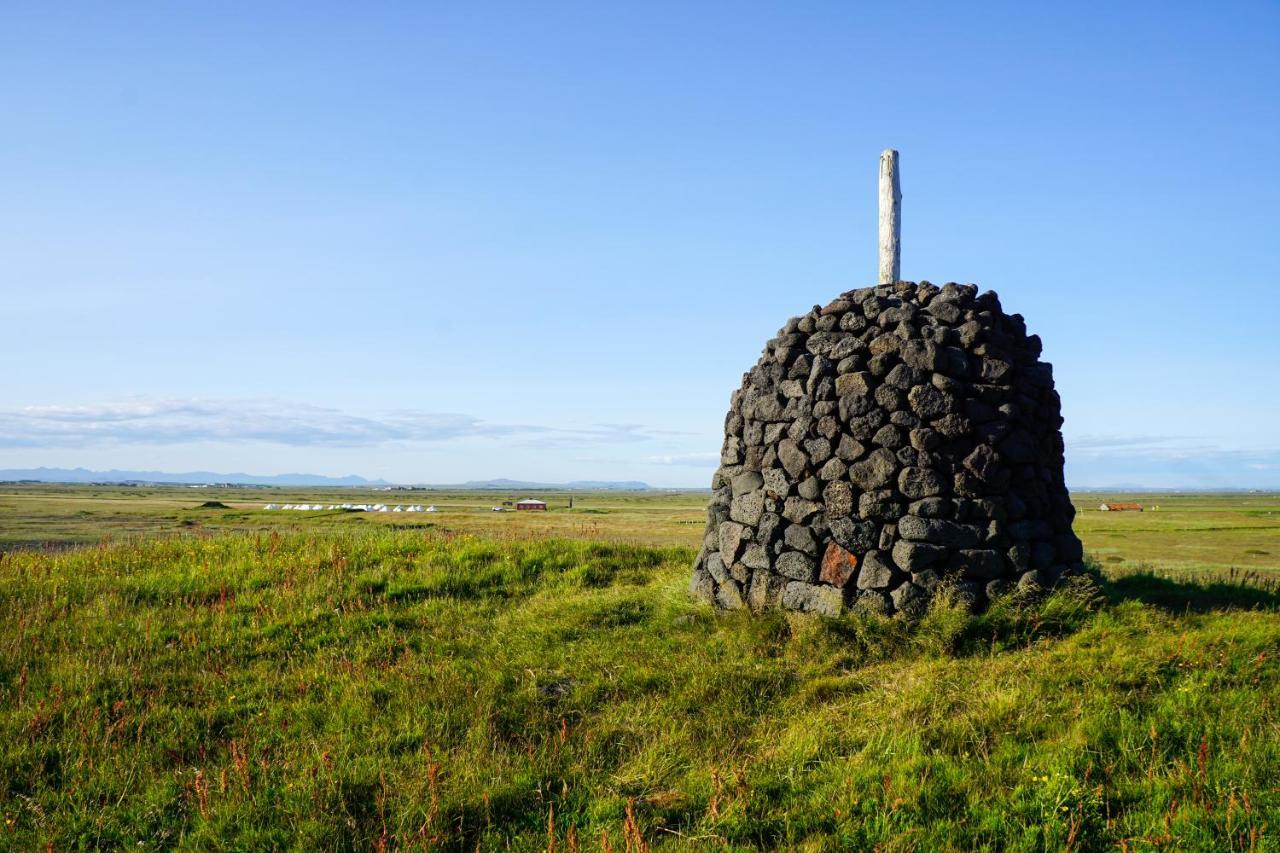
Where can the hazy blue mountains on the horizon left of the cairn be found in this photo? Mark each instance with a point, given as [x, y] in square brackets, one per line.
[199, 478]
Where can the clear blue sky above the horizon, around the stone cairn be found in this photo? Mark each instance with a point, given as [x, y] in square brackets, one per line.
[435, 243]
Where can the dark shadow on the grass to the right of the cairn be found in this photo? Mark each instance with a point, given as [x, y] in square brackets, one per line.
[1237, 591]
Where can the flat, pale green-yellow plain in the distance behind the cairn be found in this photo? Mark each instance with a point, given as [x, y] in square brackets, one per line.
[1177, 535]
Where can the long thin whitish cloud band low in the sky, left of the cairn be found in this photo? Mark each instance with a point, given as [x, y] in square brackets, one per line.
[184, 422]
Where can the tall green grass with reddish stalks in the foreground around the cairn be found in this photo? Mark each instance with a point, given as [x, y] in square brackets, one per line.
[349, 690]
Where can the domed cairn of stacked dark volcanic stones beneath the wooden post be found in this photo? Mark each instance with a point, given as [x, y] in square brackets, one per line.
[898, 439]
